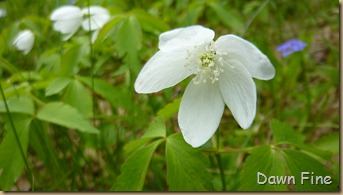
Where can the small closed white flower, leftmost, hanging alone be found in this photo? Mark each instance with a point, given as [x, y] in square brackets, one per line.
[24, 41]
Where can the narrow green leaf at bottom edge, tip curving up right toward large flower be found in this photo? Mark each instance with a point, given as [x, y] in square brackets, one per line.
[134, 170]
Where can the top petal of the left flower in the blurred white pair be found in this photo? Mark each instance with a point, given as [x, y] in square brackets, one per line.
[67, 12]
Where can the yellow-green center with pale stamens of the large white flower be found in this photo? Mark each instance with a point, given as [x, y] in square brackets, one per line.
[209, 65]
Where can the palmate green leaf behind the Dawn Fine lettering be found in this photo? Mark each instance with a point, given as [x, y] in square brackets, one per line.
[276, 163]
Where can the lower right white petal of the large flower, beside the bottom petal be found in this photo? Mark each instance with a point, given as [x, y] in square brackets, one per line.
[239, 92]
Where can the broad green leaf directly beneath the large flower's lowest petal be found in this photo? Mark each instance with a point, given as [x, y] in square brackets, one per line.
[186, 166]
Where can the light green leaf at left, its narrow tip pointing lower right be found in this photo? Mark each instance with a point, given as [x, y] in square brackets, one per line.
[67, 116]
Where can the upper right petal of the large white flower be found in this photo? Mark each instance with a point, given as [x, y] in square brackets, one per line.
[248, 54]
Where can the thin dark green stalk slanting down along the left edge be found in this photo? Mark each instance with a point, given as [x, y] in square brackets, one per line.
[17, 137]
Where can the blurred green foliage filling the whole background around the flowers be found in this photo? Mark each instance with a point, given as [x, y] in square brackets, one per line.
[81, 126]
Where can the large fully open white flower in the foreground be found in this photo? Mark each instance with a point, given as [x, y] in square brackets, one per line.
[222, 70]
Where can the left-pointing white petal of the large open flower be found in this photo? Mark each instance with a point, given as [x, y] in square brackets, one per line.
[163, 70]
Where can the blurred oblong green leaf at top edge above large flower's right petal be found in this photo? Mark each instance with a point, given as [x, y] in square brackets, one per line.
[227, 16]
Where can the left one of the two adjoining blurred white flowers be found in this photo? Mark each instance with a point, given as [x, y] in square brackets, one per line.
[68, 20]
